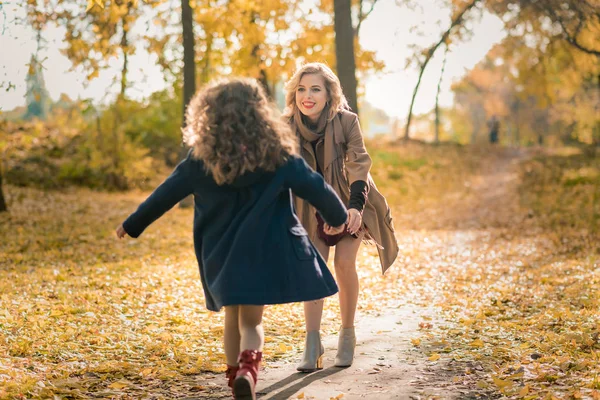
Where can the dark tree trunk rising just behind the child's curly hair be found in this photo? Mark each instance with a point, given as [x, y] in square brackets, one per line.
[189, 73]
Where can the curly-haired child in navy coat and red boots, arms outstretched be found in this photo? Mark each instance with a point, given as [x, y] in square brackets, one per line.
[250, 245]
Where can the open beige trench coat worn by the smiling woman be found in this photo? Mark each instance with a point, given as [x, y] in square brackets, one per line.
[377, 215]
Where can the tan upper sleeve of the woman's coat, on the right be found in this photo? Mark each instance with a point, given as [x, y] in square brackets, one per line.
[358, 161]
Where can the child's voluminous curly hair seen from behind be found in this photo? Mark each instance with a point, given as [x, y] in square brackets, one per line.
[233, 129]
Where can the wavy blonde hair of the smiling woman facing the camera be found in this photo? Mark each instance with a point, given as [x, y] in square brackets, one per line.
[337, 100]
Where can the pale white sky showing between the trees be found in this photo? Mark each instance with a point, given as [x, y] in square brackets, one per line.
[386, 31]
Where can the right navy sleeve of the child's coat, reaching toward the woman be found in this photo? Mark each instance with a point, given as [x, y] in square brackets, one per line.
[311, 186]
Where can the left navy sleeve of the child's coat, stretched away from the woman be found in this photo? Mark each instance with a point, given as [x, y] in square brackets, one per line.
[174, 189]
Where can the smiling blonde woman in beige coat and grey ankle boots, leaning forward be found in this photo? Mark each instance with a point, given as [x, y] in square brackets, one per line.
[332, 144]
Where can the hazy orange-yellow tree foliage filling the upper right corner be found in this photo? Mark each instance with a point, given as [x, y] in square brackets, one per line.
[540, 88]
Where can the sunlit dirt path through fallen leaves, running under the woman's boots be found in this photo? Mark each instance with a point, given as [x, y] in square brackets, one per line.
[387, 364]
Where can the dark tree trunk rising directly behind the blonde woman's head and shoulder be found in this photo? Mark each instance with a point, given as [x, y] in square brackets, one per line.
[344, 50]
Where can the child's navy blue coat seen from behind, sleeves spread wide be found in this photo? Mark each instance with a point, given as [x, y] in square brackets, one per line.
[251, 247]
